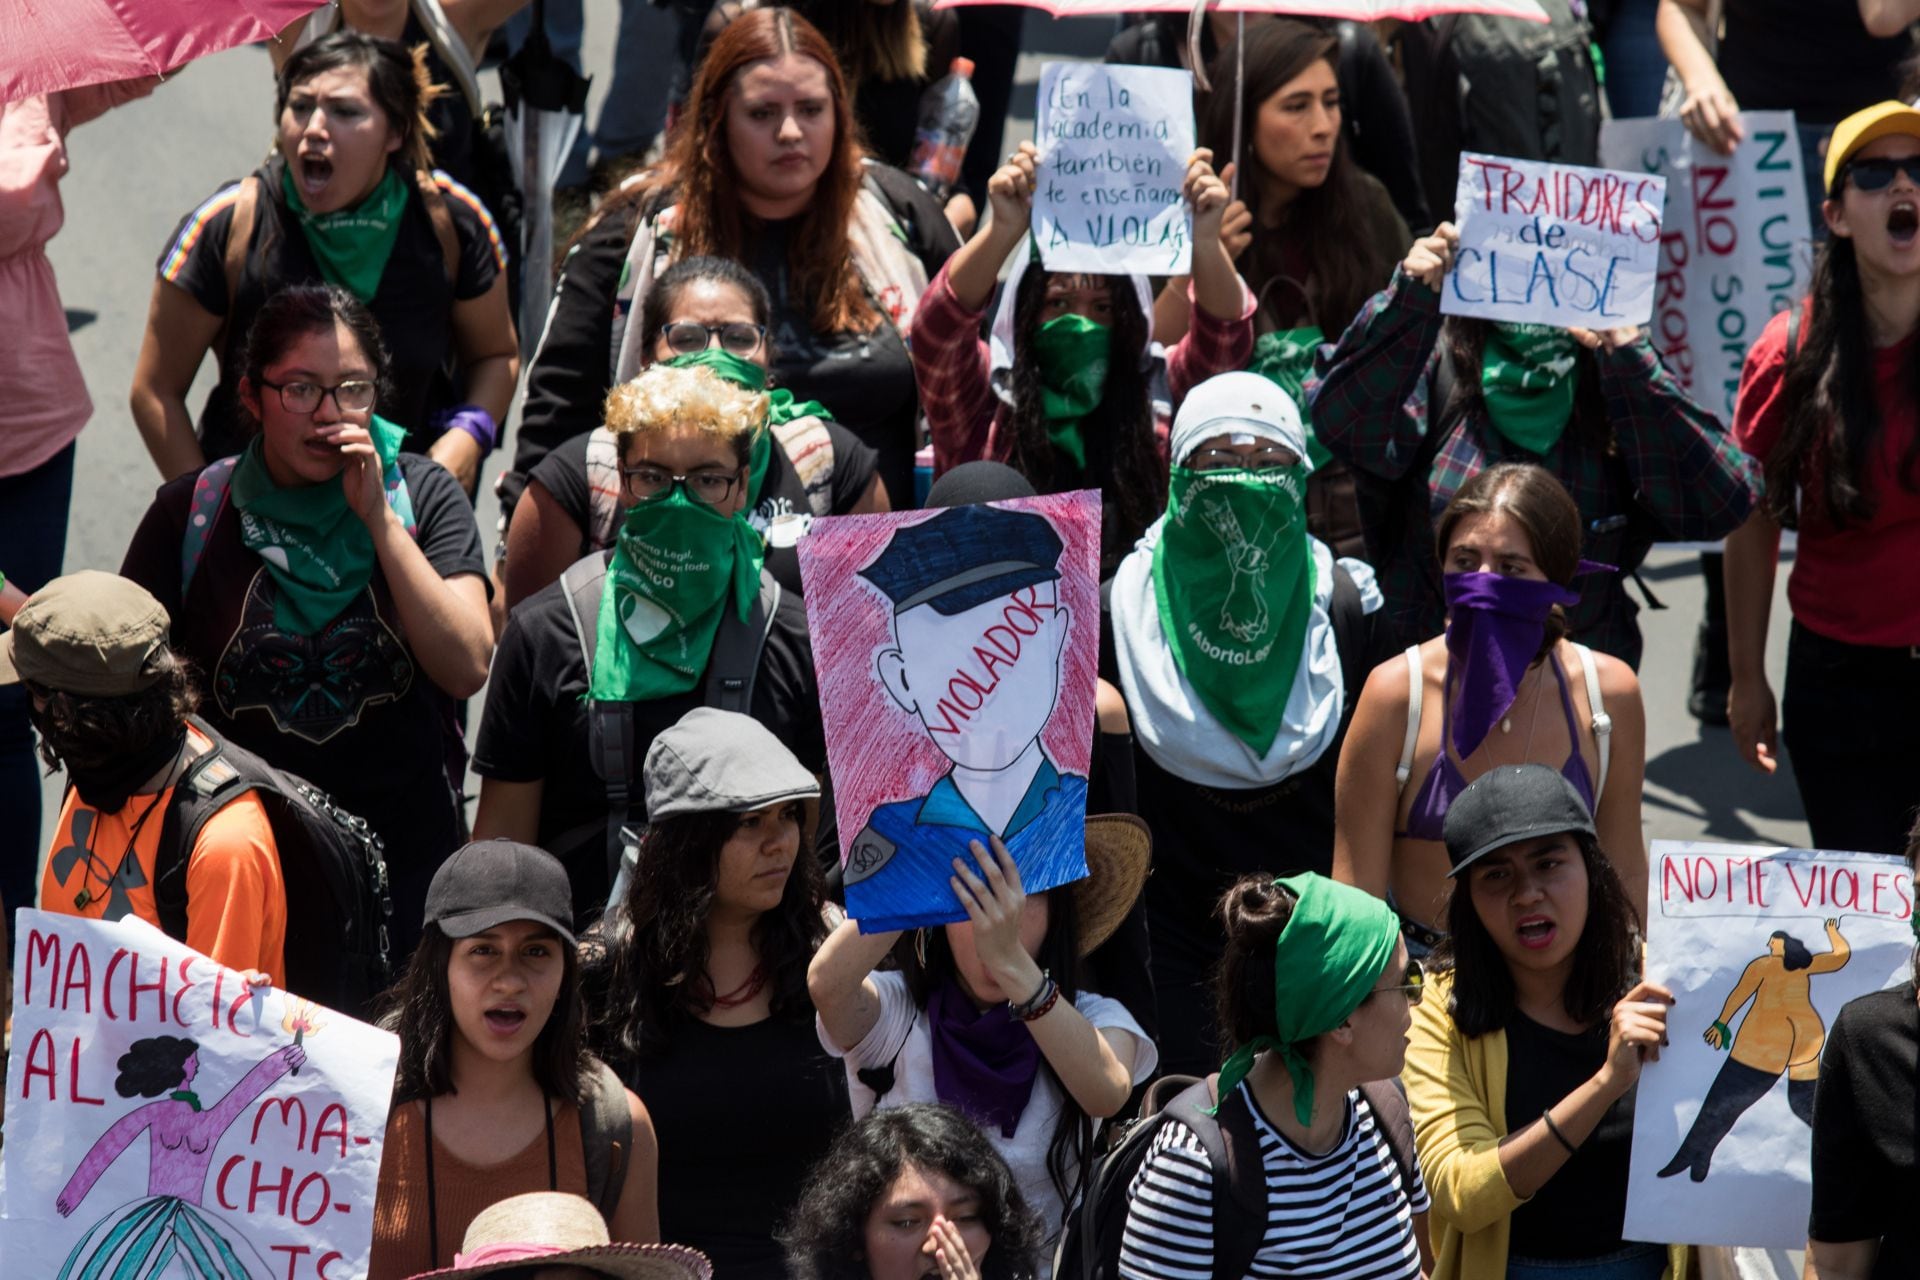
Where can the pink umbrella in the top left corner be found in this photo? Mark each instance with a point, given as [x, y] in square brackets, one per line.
[55, 45]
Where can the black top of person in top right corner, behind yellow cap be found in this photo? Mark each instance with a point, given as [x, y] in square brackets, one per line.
[1808, 57]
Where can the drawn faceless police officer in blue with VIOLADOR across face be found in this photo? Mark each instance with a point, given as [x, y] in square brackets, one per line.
[978, 638]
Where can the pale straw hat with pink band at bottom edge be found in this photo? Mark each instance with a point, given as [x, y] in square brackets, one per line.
[552, 1229]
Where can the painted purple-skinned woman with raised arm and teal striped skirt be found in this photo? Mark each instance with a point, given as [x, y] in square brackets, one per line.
[145, 1237]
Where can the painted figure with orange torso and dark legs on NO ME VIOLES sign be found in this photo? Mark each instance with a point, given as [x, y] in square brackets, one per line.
[1783, 1031]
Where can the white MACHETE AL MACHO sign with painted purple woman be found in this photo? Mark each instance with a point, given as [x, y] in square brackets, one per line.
[164, 1122]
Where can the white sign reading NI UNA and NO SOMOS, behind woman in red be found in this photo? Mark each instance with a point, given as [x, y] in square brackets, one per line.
[1735, 243]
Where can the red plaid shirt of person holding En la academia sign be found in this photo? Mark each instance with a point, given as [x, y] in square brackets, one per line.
[971, 421]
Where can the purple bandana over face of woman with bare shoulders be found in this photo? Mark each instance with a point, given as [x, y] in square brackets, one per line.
[1493, 636]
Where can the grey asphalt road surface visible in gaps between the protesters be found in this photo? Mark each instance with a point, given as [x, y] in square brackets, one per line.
[139, 170]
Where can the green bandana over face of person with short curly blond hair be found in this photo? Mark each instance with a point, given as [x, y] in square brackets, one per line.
[677, 563]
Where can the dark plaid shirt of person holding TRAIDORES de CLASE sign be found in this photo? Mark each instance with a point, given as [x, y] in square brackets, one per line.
[1673, 473]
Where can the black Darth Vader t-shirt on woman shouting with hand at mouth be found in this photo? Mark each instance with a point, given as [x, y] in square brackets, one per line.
[348, 709]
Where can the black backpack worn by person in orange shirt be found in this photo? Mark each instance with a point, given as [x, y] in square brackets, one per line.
[331, 863]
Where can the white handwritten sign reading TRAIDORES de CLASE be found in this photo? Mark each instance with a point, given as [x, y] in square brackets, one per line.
[1554, 245]
